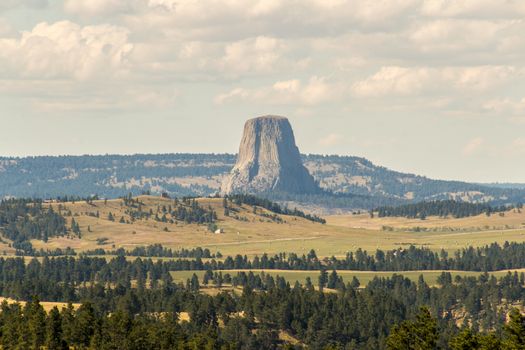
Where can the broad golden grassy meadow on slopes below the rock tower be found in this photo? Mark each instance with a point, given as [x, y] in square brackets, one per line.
[256, 234]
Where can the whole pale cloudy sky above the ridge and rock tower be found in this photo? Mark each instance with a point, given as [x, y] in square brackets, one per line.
[433, 87]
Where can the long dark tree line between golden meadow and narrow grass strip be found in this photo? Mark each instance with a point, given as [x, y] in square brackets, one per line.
[489, 258]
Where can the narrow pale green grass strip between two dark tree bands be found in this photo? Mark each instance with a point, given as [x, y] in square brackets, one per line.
[364, 276]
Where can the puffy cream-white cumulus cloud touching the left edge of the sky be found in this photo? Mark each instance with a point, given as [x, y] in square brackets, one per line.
[66, 50]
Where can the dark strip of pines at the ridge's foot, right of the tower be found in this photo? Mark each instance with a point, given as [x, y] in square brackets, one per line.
[443, 208]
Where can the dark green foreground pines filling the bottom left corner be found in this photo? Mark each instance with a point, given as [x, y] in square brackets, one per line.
[30, 327]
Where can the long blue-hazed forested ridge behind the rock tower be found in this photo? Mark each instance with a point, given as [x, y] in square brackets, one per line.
[357, 181]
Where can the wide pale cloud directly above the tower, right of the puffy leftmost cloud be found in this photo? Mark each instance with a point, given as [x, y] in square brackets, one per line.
[203, 60]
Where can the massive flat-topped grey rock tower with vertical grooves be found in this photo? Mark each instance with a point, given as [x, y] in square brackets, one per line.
[269, 160]
